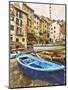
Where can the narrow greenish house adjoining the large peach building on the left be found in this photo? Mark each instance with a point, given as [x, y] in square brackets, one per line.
[30, 13]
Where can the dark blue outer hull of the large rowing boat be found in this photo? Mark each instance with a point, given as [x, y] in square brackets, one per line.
[57, 76]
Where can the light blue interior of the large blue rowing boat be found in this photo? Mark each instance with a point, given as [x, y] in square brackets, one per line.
[38, 62]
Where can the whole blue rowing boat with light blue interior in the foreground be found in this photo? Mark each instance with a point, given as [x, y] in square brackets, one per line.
[40, 68]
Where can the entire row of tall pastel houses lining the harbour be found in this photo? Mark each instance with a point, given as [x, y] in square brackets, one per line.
[25, 25]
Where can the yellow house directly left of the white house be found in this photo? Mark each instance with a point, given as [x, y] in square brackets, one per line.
[44, 28]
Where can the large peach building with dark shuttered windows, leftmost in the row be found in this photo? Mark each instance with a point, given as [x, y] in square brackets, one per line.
[18, 24]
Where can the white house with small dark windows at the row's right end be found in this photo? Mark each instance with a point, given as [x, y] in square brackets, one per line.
[54, 32]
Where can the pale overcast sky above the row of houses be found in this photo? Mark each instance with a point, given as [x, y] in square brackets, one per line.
[58, 11]
